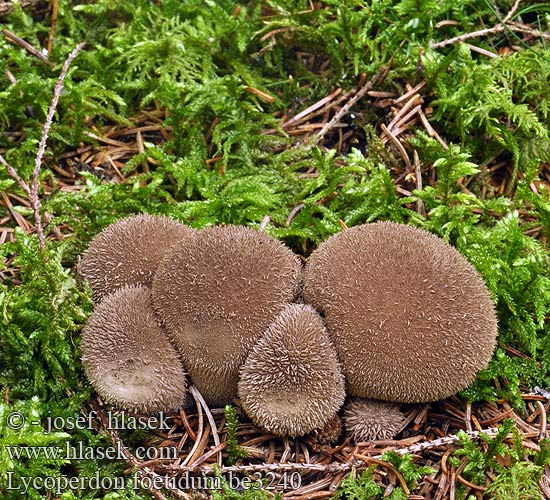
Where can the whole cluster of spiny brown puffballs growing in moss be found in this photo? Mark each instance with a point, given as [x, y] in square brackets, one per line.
[382, 314]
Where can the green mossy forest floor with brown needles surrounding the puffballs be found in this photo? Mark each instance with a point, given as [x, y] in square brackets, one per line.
[303, 118]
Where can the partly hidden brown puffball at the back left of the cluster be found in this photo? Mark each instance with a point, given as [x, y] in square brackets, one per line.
[128, 252]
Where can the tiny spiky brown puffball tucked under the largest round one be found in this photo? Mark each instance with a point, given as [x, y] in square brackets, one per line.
[369, 420]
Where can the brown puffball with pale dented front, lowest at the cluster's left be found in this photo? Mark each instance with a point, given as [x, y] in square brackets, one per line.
[127, 356]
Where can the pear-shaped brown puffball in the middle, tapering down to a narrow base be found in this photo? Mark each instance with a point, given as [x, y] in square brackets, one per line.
[216, 294]
